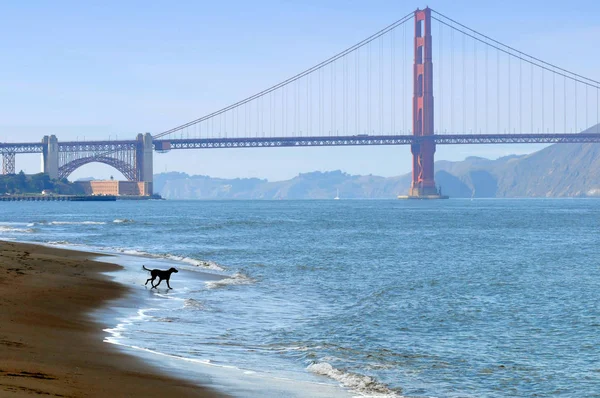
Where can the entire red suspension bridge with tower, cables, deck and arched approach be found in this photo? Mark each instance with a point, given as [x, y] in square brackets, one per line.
[379, 91]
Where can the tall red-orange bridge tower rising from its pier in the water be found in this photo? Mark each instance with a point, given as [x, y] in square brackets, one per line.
[423, 183]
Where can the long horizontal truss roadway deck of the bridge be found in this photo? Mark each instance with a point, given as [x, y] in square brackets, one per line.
[274, 142]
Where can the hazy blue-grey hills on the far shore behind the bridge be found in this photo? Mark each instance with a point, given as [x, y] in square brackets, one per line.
[565, 170]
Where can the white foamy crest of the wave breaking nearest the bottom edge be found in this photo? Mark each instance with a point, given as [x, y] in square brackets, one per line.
[364, 385]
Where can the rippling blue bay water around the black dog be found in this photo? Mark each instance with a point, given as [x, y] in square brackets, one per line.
[455, 298]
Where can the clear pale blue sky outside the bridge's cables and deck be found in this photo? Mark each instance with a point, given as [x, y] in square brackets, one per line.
[99, 69]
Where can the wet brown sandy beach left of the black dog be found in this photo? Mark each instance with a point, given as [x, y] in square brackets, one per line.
[49, 345]
